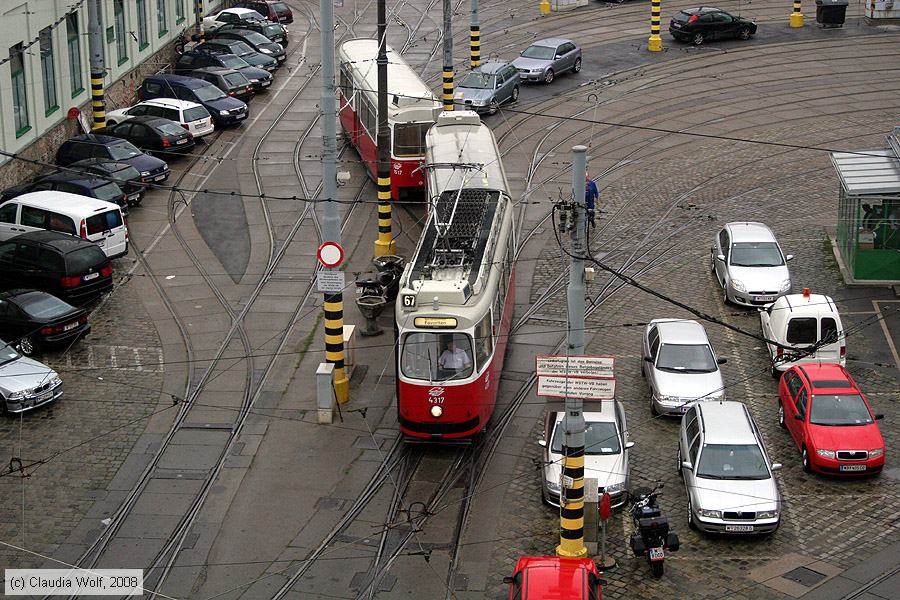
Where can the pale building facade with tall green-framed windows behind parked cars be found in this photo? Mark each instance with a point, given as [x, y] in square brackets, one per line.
[45, 69]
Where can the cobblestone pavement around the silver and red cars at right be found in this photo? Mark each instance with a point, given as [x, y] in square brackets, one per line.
[704, 184]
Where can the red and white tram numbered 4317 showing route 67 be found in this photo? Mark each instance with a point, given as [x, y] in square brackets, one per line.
[456, 296]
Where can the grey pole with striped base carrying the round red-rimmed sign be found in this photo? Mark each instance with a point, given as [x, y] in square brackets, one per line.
[331, 220]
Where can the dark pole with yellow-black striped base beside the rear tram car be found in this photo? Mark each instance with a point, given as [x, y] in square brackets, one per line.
[385, 244]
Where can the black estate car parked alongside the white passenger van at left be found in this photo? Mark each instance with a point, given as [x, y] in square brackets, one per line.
[71, 268]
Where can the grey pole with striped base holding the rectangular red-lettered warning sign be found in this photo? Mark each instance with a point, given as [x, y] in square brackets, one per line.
[571, 512]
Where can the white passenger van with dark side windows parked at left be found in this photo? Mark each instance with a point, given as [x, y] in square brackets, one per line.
[96, 220]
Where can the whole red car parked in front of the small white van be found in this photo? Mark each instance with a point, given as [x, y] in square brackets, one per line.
[830, 420]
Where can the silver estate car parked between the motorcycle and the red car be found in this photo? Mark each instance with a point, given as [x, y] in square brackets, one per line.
[727, 472]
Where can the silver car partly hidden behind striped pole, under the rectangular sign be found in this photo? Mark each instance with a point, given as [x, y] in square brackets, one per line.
[606, 446]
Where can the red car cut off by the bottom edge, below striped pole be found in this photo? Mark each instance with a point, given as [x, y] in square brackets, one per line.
[554, 578]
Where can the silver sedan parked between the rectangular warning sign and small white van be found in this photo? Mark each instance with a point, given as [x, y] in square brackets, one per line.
[680, 365]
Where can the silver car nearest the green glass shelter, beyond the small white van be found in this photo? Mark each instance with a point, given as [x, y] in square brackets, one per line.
[749, 265]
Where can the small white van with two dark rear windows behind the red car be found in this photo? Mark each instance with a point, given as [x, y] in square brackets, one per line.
[801, 321]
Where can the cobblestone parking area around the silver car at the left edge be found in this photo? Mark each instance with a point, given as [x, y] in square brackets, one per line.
[111, 380]
